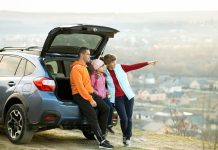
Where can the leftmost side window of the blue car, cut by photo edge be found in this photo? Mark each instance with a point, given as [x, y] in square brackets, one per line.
[8, 65]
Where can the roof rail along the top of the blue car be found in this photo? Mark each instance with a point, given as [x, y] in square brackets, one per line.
[32, 48]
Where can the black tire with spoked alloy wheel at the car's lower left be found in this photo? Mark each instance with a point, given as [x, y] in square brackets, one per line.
[16, 125]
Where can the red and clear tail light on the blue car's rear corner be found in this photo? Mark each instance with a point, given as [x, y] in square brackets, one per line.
[44, 84]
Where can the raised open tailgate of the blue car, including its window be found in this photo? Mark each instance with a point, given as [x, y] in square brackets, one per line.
[66, 41]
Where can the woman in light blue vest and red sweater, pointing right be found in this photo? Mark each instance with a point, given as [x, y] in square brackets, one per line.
[121, 93]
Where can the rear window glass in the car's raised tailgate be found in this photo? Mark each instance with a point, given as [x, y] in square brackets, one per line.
[69, 43]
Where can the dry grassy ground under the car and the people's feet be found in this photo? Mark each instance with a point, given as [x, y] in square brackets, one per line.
[65, 140]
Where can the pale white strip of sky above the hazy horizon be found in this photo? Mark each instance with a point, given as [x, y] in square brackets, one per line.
[117, 6]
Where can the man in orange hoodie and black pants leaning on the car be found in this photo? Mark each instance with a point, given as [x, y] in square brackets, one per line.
[84, 96]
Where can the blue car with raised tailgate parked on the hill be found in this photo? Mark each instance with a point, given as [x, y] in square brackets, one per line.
[35, 90]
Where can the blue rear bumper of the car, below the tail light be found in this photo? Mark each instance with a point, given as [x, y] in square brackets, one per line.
[65, 113]
